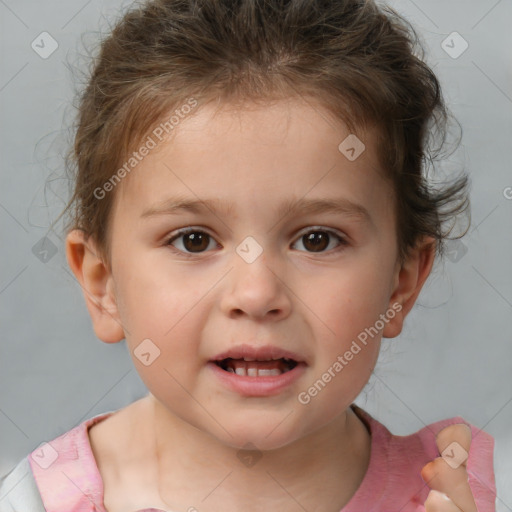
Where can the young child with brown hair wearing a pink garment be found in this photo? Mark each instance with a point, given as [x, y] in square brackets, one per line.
[251, 213]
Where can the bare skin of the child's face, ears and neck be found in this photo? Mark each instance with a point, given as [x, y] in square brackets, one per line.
[192, 308]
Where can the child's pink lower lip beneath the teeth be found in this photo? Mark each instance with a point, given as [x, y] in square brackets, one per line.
[258, 386]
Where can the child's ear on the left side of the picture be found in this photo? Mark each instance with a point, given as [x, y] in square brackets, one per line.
[97, 283]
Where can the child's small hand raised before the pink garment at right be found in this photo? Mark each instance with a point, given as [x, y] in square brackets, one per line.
[449, 480]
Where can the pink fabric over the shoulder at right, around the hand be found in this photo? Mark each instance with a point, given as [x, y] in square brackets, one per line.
[396, 461]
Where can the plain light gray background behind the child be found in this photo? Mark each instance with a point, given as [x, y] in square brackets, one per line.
[455, 354]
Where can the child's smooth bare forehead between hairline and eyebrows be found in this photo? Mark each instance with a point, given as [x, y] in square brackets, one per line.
[256, 155]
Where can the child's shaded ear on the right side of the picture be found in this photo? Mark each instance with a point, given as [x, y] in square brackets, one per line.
[408, 282]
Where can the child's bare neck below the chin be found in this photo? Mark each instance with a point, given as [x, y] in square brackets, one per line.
[194, 468]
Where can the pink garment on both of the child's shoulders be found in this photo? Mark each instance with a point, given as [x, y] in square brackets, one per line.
[72, 482]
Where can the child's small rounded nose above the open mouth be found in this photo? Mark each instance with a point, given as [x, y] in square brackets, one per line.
[256, 290]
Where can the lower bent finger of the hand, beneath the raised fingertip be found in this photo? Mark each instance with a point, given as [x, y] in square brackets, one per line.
[451, 481]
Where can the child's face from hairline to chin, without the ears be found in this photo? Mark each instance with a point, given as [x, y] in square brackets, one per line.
[200, 297]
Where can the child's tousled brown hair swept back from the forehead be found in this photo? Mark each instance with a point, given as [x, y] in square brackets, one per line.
[353, 57]
